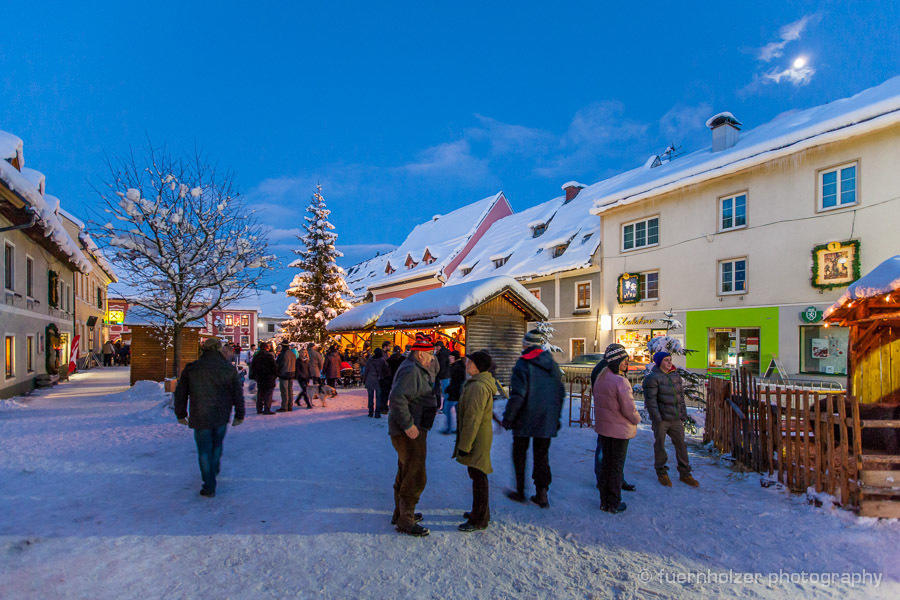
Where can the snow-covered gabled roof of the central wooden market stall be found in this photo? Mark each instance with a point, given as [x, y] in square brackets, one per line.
[449, 305]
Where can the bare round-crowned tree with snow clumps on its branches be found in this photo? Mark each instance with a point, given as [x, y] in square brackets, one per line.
[180, 234]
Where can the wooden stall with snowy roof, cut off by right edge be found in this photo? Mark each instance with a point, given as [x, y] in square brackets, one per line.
[871, 309]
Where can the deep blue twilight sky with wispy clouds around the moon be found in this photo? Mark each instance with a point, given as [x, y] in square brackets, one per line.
[405, 110]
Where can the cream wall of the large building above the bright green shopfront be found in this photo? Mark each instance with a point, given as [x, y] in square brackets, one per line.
[784, 224]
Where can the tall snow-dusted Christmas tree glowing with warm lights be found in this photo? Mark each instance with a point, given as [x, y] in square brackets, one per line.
[319, 288]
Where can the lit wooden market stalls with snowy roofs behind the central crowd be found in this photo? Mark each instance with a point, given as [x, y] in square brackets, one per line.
[488, 314]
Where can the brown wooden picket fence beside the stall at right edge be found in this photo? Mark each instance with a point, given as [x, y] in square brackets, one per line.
[806, 439]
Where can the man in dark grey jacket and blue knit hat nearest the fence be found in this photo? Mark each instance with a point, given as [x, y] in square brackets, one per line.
[664, 401]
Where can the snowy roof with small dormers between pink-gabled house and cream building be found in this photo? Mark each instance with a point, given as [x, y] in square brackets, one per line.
[531, 256]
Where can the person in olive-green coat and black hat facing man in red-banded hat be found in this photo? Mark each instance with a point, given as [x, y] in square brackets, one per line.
[476, 433]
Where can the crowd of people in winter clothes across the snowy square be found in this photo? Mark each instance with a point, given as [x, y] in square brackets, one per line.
[411, 386]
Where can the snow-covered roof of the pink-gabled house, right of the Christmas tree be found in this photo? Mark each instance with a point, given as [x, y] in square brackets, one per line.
[444, 236]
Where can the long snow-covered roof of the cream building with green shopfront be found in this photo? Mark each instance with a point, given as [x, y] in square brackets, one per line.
[788, 133]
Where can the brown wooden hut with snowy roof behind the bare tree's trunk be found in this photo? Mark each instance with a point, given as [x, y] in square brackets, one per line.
[153, 359]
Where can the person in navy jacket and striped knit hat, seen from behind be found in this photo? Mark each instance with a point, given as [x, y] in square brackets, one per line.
[536, 396]
